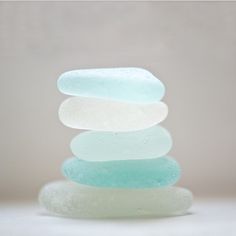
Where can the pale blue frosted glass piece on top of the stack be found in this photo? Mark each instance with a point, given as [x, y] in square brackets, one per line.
[124, 84]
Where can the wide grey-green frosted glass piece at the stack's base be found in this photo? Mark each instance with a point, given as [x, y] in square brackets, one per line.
[75, 200]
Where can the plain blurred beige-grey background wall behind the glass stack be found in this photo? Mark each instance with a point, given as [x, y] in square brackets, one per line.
[190, 46]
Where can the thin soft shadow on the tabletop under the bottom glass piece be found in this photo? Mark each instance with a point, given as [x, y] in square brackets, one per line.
[113, 219]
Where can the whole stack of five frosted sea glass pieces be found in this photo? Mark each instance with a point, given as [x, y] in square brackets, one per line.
[120, 166]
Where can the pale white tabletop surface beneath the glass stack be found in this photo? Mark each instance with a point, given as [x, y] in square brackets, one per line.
[215, 217]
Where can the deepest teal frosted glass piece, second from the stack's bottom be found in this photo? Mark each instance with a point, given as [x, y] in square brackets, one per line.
[149, 173]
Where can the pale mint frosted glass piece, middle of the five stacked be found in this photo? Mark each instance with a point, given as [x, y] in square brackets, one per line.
[107, 146]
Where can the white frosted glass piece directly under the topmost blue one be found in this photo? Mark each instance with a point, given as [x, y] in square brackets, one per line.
[105, 115]
